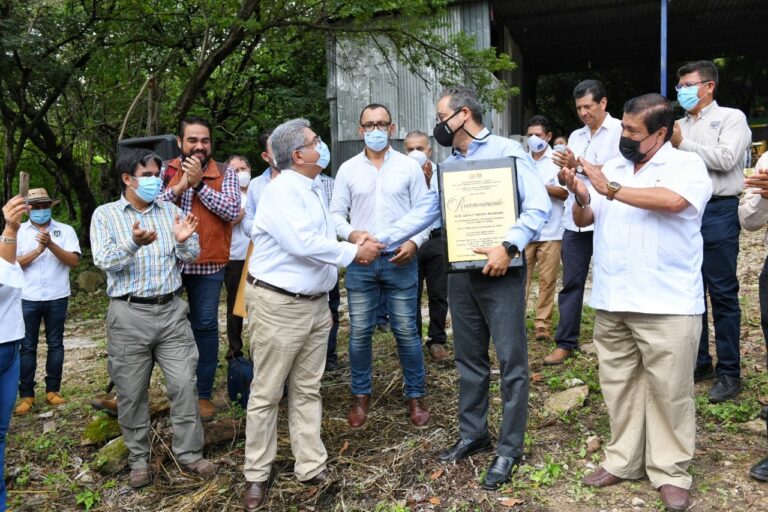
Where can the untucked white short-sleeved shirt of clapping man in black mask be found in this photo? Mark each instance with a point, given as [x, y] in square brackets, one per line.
[648, 261]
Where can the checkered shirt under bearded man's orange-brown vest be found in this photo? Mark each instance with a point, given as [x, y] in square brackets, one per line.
[224, 203]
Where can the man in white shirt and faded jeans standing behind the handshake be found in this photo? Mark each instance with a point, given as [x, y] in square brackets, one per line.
[373, 190]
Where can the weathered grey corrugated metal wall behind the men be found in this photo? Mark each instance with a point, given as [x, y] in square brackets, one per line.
[360, 74]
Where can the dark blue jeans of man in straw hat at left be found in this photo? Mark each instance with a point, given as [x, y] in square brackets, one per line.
[54, 314]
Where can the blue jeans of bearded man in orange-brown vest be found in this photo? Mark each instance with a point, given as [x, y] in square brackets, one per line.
[203, 293]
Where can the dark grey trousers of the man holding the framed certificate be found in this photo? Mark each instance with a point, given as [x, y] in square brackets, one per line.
[483, 307]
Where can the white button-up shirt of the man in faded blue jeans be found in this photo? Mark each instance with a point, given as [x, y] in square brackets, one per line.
[375, 199]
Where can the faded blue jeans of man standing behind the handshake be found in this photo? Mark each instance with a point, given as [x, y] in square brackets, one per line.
[365, 284]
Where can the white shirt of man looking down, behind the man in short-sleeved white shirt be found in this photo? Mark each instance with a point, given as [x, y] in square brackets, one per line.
[596, 149]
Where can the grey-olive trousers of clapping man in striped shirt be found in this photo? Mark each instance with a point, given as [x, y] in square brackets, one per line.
[138, 336]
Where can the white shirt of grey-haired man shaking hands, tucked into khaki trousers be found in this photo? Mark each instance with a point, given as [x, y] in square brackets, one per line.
[294, 237]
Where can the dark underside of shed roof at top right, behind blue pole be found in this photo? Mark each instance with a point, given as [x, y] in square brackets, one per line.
[559, 35]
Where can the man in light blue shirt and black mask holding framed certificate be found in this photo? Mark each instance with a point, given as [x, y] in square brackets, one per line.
[489, 302]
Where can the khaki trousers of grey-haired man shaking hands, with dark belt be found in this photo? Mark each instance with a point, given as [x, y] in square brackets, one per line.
[288, 340]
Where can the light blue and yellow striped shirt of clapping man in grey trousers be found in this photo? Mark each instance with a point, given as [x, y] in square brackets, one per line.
[140, 270]
